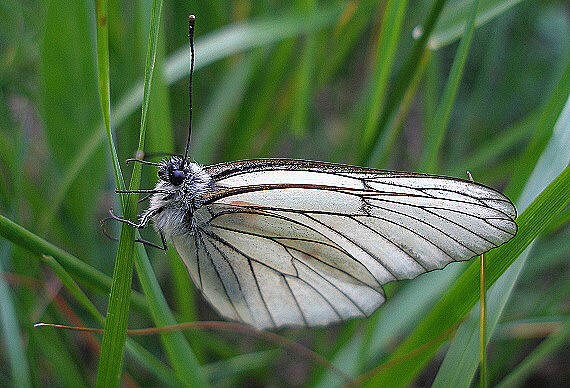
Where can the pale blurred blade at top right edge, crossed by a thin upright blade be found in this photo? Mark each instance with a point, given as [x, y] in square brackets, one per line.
[455, 15]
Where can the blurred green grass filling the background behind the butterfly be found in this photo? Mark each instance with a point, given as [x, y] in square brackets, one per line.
[285, 80]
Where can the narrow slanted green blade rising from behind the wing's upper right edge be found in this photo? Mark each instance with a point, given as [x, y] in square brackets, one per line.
[435, 132]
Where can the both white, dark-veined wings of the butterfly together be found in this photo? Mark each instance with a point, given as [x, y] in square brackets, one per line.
[295, 243]
